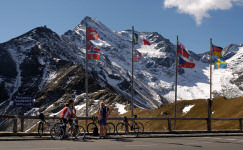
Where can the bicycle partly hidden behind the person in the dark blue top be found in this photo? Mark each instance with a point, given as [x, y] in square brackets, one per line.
[92, 126]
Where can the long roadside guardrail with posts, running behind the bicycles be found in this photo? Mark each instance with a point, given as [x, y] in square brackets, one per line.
[169, 120]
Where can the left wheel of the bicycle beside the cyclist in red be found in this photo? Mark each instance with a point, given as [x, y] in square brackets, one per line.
[57, 131]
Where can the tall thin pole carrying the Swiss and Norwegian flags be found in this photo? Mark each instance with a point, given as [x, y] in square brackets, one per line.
[86, 77]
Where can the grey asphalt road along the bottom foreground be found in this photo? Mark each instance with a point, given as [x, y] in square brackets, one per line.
[169, 143]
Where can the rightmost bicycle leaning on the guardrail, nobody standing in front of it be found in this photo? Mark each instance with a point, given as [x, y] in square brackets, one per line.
[123, 127]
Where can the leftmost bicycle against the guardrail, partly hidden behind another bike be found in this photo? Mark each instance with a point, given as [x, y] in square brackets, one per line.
[43, 125]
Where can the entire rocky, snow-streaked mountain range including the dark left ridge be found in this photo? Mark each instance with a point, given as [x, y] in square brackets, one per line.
[50, 67]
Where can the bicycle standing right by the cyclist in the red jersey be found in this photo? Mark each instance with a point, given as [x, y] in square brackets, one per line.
[75, 130]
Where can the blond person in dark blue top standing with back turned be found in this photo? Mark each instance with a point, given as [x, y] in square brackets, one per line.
[103, 112]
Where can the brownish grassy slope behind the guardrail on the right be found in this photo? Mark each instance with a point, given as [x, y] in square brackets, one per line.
[222, 108]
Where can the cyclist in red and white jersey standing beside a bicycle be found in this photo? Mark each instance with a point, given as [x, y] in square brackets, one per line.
[66, 114]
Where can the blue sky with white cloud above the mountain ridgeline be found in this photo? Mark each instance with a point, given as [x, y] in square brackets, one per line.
[224, 24]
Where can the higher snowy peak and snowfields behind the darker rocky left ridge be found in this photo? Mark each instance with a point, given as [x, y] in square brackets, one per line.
[155, 73]
